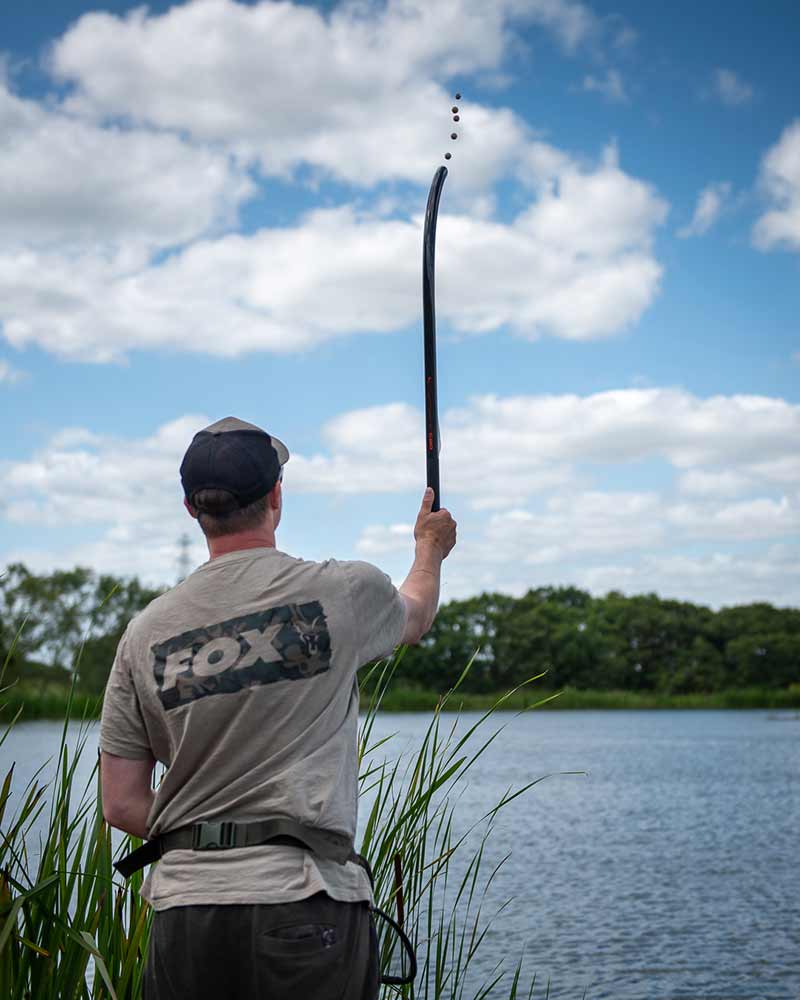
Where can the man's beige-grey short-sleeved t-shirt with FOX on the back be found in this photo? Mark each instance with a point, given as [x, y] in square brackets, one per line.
[242, 681]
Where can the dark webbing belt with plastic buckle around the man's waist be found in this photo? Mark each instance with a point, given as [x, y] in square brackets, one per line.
[225, 834]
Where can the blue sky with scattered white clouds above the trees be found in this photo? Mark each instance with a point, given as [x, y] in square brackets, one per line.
[216, 208]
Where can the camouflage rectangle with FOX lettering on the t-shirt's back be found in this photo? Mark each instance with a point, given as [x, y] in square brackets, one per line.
[288, 643]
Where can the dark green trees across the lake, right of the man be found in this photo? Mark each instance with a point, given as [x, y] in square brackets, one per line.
[615, 642]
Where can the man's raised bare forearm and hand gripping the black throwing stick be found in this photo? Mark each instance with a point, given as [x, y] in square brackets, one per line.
[435, 536]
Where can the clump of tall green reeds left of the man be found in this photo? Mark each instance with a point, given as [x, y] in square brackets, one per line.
[60, 906]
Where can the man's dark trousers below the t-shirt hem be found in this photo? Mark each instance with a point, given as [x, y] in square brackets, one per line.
[315, 949]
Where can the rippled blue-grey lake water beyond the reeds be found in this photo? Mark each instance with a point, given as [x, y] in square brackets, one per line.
[669, 871]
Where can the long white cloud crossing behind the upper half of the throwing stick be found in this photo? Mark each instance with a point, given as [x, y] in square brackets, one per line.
[577, 264]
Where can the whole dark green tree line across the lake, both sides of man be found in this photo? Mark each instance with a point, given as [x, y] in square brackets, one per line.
[66, 624]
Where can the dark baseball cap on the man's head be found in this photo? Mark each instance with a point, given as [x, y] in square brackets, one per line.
[235, 456]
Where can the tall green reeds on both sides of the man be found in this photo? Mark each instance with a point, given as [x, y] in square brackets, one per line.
[64, 912]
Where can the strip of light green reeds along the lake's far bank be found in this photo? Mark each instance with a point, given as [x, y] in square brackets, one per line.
[52, 704]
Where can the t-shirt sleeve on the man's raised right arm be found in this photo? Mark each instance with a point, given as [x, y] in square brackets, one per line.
[378, 609]
